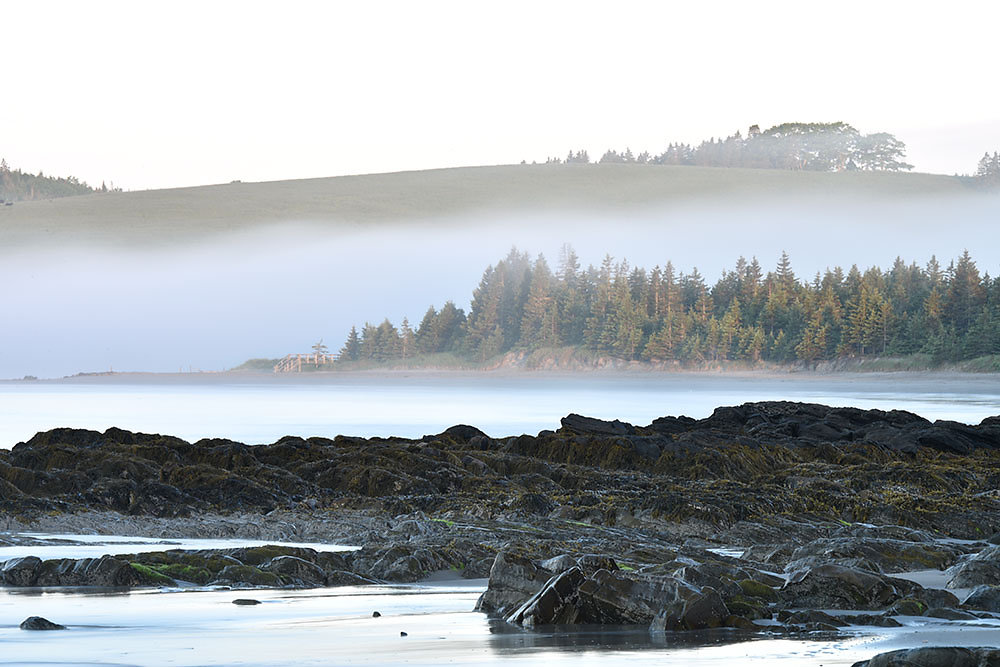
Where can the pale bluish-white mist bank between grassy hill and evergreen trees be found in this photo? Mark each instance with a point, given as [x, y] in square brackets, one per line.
[211, 306]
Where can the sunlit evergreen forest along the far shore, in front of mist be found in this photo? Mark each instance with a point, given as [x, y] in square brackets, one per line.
[950, 313]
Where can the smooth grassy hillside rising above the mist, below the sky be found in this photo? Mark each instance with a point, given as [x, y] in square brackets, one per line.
[185, 214]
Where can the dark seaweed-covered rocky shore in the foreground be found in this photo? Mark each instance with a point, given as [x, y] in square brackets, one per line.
[765, 517]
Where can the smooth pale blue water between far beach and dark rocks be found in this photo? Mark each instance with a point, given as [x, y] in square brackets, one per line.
[261, 409]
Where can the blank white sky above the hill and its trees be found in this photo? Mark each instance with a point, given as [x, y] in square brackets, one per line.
[161, 94]
